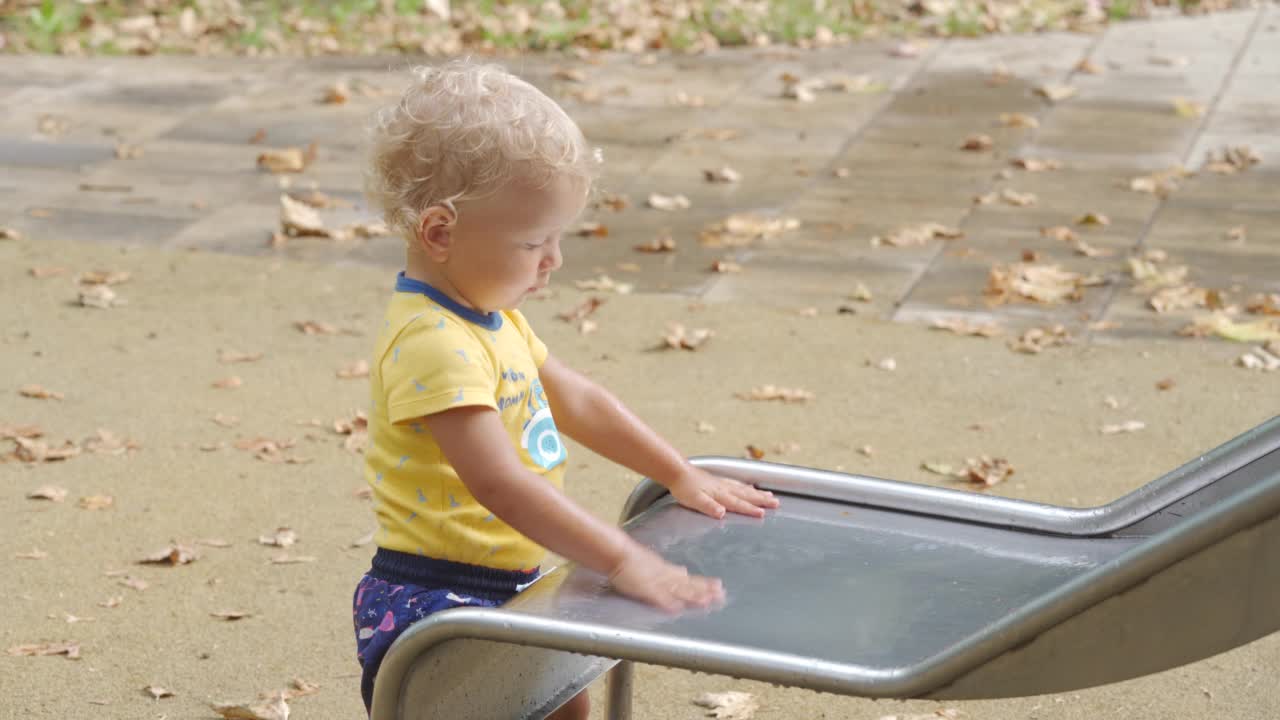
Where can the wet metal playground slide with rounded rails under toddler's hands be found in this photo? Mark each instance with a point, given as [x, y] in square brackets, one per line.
[881, 589]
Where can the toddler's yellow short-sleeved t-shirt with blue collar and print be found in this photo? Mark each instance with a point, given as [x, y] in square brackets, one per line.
[435, 354]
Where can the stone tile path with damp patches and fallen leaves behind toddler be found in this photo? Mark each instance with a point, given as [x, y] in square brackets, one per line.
[851, 166]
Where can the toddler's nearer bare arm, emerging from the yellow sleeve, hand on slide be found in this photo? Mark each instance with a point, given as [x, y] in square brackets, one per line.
[477, 445]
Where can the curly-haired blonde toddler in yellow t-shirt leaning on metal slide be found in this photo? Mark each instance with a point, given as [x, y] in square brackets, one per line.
[482, 175]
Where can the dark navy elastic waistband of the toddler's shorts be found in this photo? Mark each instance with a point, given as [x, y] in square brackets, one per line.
[491, 584]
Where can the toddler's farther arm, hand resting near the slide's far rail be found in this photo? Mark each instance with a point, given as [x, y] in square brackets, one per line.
[592, 416]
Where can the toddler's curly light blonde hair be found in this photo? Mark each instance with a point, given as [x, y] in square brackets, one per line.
[463, 131]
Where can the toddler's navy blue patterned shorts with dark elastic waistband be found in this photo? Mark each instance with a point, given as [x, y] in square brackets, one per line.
[401, 590]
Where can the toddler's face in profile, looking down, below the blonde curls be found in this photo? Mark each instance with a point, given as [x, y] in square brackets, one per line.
[508, 245]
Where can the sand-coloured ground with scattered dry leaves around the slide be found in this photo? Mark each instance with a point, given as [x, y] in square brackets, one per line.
[145, 371]
